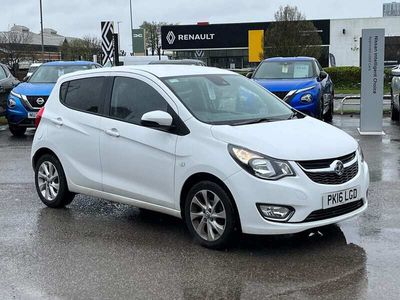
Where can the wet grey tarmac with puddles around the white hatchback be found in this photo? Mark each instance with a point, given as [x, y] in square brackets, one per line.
[95, 249]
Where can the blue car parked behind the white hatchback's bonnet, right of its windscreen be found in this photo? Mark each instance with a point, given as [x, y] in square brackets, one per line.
[299, 81]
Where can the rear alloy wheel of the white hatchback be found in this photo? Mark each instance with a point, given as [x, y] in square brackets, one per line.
[48, 181]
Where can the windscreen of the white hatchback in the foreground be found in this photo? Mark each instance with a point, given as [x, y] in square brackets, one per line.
[227, 99]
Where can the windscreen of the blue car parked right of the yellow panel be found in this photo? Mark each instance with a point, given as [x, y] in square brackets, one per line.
[285, 70]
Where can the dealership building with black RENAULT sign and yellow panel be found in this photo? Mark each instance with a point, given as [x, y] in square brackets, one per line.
[237, 45]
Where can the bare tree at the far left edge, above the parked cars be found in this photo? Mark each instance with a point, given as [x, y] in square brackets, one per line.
[15, 46]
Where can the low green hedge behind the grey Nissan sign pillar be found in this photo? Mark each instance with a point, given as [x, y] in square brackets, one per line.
[350, 77]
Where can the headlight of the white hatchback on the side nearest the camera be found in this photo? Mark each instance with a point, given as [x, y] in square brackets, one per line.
[260, 165]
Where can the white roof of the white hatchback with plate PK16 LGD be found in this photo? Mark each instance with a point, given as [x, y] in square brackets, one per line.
[160, 71]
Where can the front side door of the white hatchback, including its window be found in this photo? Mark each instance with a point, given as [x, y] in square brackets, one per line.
[138, 162]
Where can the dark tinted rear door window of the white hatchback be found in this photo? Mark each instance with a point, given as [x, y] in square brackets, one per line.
[83, 94]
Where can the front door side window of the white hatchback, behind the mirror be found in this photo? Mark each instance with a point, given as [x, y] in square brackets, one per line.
[131, 98]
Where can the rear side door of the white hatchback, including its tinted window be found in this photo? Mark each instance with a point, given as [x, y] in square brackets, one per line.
[74, 127]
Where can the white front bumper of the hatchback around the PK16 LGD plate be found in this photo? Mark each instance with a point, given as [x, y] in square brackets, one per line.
[299, 192]
